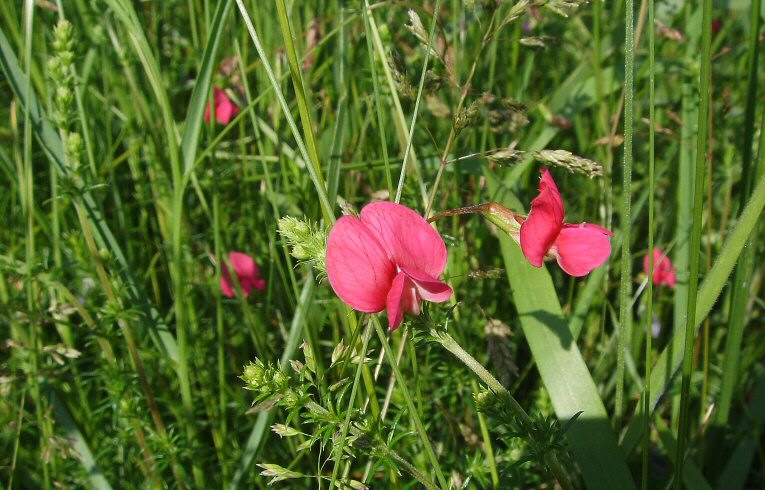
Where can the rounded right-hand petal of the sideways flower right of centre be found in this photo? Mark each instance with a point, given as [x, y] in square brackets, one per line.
[582, 248]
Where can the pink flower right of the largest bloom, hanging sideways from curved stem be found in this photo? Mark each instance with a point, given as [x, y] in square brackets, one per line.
[578, 248]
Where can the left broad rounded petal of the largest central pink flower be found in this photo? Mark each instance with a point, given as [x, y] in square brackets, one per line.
[358, 267]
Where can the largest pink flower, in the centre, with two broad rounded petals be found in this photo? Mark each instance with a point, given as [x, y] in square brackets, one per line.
[390, 258]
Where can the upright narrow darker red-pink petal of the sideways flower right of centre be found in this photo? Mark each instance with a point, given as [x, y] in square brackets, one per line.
[545, 220]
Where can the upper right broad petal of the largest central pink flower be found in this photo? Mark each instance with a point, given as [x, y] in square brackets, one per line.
[409, 240]
